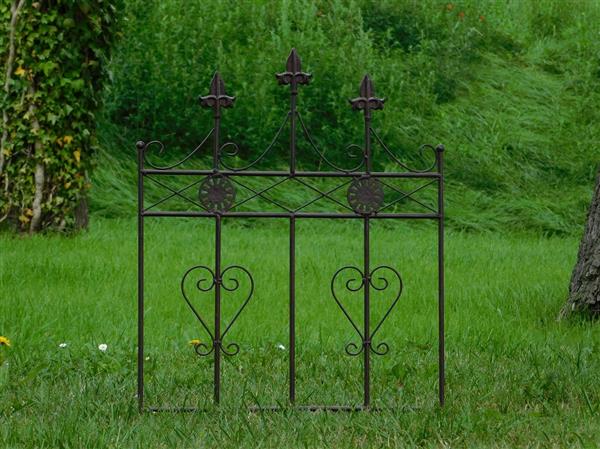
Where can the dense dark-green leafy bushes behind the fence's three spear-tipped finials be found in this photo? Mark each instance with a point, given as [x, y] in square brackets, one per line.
[174, 47]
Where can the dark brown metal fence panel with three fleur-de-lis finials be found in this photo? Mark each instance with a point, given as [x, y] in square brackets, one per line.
[369, 195]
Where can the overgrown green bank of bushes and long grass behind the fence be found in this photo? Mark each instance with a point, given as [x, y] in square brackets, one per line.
[511, 88]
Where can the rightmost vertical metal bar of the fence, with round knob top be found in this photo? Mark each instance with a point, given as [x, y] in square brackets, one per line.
[441, 286]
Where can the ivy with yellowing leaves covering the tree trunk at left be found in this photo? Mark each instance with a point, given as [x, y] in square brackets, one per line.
[53, 53]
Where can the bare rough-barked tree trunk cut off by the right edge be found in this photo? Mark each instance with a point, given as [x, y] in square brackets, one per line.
[584, 292]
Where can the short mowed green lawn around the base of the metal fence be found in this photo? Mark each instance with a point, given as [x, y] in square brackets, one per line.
[516, 377]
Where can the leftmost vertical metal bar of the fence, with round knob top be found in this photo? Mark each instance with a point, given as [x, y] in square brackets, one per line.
[140, 356]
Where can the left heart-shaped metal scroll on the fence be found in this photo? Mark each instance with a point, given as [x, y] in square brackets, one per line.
[208, 281]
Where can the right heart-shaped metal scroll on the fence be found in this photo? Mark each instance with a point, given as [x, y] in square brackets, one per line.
[357, 283]
